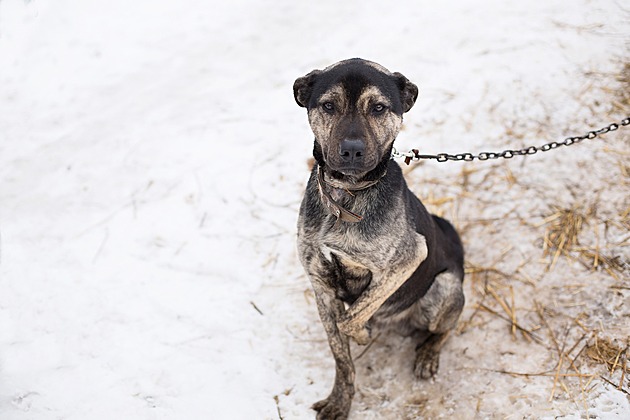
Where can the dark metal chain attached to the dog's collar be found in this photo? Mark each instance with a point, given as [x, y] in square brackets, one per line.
[414, 154]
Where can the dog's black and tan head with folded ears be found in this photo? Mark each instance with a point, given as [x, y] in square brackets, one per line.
[355, 110]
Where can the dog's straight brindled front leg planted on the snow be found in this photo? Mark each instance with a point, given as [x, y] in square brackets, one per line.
[337, 405]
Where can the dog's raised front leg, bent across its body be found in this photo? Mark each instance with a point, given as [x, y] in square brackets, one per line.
[384, 283]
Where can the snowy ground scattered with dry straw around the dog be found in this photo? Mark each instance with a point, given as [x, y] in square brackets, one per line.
[152, 161]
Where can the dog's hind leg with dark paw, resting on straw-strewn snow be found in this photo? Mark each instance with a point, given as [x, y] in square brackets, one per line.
[436, 315]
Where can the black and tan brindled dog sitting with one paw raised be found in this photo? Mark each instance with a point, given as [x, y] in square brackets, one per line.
[374, 255]
